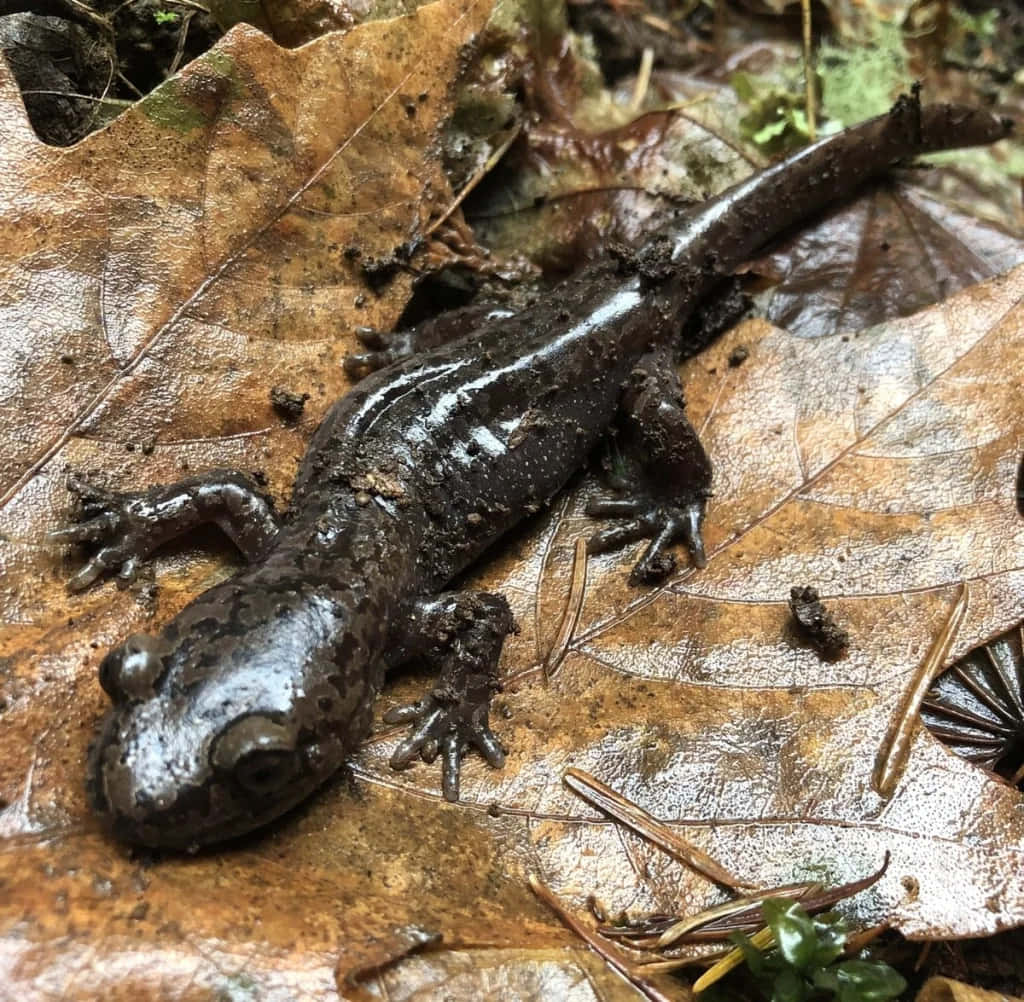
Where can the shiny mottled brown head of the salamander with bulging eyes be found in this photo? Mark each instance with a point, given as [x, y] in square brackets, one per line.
[217, 730]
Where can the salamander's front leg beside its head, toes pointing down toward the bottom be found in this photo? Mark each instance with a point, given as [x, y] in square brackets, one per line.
[462, 634]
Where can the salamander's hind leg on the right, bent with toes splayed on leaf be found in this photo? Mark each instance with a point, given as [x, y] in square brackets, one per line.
[666, 503]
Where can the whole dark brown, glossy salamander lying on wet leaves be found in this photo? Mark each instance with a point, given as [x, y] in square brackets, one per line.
[262, 688]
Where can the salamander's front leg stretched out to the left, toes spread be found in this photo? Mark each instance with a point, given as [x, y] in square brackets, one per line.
[129, 527]
